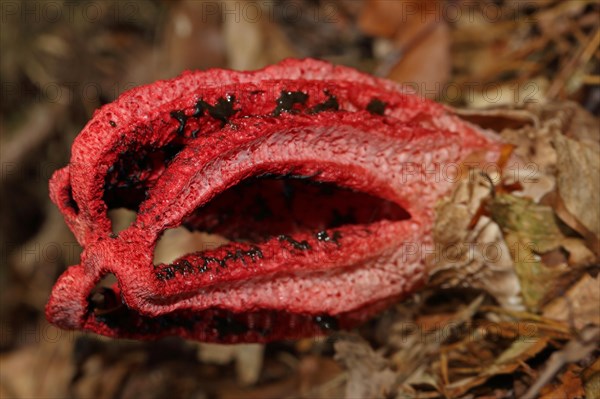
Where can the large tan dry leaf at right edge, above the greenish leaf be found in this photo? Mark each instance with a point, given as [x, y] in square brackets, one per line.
[539, 158]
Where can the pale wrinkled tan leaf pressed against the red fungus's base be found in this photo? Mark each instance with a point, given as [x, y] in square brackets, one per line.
[469, 256]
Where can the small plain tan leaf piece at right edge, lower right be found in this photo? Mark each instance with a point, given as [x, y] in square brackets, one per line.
[579, 305]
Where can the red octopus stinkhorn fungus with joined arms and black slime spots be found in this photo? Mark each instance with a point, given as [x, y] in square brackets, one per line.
[317, 173]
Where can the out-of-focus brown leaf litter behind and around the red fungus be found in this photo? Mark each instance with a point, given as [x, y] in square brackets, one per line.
[61, 60]
